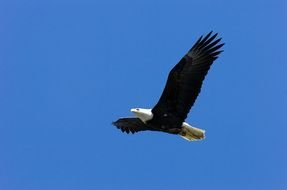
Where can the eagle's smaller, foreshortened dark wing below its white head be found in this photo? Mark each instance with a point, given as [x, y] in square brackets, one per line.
[132, 125]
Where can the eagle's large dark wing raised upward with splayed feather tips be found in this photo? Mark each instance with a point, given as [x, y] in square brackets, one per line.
[185, 79]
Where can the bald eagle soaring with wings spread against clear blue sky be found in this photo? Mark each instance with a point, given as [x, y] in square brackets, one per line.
[181, 90]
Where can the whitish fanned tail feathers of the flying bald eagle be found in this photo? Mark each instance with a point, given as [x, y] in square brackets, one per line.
[191, 133]
